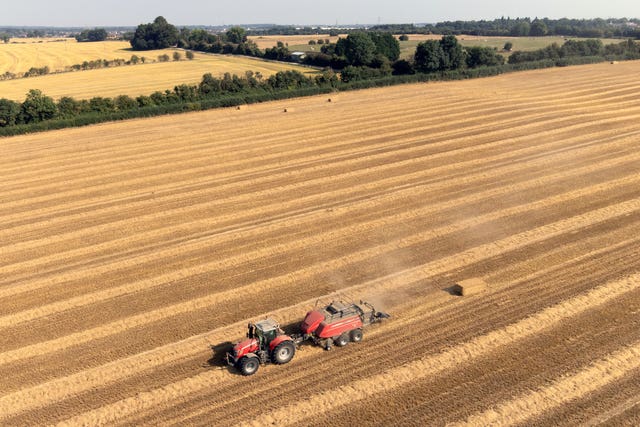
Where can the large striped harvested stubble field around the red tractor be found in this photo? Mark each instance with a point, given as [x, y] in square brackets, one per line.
[129, 248]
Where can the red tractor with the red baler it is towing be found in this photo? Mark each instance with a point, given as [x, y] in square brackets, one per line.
[337, 322]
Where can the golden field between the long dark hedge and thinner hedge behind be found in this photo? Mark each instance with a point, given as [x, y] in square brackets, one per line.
[142, 79]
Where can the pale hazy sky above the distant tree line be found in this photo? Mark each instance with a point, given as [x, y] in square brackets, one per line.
[84, 13]
